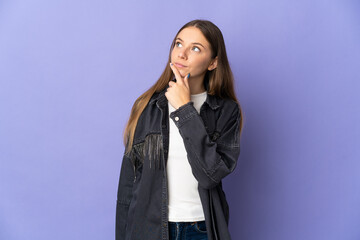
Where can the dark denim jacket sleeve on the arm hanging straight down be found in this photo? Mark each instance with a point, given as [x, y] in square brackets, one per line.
[124, 197]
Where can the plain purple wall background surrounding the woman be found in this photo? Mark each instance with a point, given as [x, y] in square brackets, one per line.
[71, 70]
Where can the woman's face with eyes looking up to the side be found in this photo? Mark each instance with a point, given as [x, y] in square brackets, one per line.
[192, 53]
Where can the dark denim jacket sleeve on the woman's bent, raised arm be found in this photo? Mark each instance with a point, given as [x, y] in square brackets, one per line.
[210, 160]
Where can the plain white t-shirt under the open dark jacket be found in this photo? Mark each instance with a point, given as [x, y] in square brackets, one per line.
[184, 199]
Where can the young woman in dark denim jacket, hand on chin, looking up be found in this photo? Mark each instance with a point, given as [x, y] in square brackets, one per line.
[181, 140]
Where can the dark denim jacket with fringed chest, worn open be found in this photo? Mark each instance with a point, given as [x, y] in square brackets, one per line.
[212, 142]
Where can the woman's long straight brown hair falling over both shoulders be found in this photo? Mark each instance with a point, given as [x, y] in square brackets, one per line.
[220, 81]
